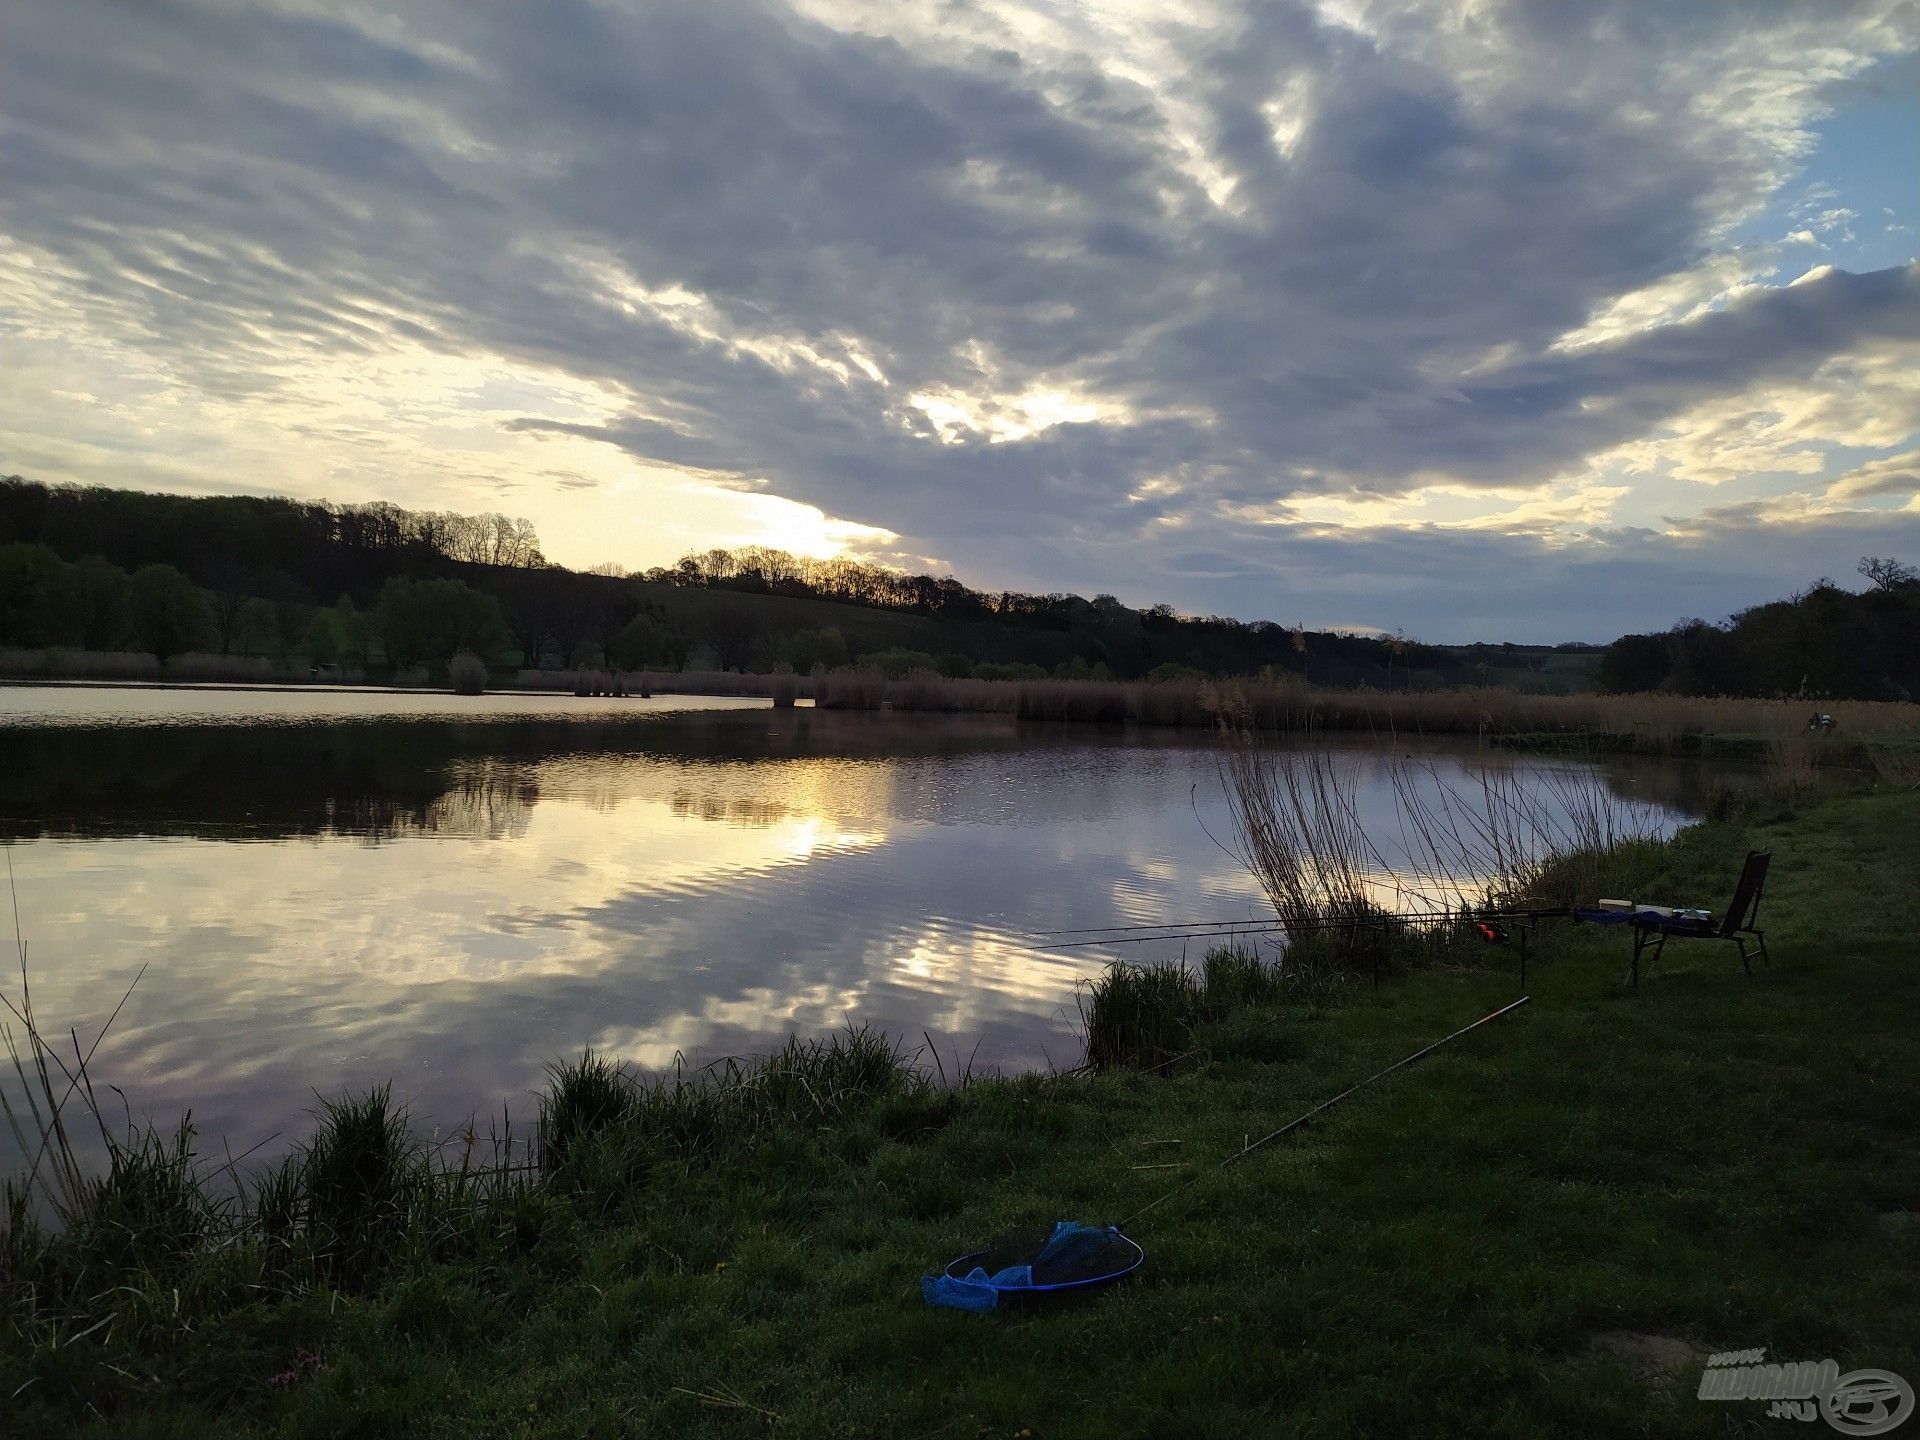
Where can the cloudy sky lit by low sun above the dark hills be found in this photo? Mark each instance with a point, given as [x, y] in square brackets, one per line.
[1499, 320]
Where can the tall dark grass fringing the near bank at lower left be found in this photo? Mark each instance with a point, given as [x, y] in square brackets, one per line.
[160, 1239]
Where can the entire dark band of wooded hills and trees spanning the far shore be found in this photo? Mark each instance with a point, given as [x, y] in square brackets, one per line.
[379, 587]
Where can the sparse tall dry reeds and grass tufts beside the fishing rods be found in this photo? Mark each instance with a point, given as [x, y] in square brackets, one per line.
[1355, 900]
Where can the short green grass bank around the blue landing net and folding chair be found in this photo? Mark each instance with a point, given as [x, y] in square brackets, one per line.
[1719, 1161]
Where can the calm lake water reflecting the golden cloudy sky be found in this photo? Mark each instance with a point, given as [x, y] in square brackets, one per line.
[329, 890]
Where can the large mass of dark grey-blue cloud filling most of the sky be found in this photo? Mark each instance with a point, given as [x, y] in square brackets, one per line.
[1285, 256]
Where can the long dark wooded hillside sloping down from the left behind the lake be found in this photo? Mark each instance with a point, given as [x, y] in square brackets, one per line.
[281, 577]
